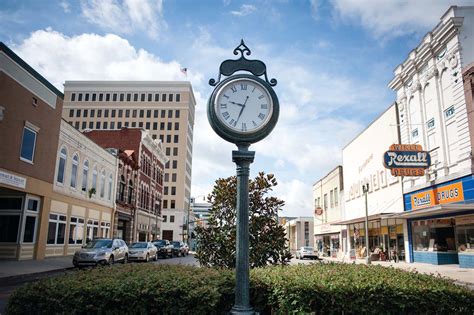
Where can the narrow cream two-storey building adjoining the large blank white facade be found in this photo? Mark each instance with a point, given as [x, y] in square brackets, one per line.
[329, 238]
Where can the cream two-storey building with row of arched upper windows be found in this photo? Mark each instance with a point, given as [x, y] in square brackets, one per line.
[82, 204]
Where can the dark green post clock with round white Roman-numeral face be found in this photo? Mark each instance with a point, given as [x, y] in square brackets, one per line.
[243, 109]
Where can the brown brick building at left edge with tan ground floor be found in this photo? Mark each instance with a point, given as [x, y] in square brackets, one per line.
[30, 116]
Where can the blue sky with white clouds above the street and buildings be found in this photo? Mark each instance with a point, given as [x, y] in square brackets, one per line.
[333, 60]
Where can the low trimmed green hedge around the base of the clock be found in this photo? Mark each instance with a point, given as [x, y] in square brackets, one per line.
[167, 289]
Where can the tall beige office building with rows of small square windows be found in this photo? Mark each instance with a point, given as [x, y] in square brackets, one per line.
[165, 109]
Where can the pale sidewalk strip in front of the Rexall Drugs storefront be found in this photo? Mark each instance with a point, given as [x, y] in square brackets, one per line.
[459, 275]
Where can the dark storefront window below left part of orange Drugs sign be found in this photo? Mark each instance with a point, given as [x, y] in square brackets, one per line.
[433, 235]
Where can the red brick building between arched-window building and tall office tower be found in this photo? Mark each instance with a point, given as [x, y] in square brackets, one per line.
[145, 194]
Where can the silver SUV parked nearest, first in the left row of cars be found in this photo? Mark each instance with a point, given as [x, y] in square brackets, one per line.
[101, 251]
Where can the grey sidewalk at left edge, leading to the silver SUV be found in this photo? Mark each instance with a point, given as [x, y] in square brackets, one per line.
[10, 268]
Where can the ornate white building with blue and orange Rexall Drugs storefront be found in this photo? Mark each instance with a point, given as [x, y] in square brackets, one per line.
[435, 111]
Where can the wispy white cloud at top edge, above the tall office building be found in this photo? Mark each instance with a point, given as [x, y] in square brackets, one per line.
[126, 16]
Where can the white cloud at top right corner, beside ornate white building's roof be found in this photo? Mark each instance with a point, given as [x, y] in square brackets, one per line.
[393, 18]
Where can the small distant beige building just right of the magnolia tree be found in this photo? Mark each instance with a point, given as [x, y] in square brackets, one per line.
[299, 232]
